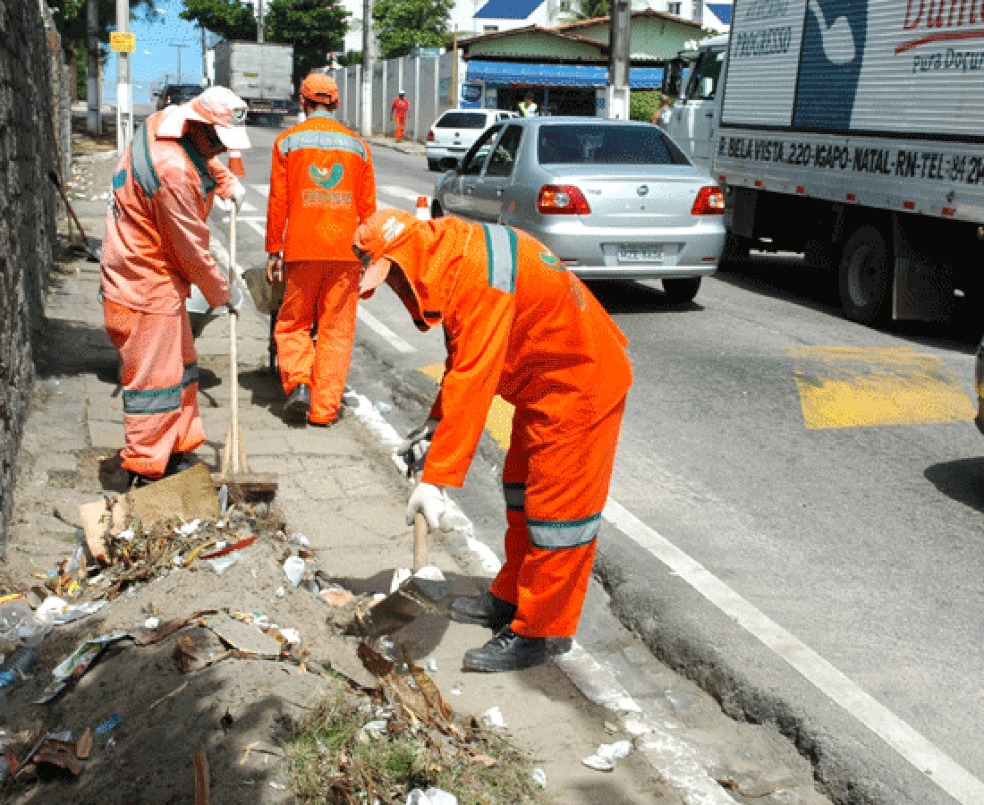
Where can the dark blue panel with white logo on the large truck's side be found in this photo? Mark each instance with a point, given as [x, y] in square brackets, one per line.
[830, 64]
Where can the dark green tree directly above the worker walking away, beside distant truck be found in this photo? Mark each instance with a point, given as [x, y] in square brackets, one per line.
[314, 27]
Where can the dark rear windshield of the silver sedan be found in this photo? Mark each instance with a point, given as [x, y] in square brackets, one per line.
[592, 145]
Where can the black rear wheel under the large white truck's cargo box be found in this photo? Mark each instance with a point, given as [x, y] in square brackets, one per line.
[865, 277]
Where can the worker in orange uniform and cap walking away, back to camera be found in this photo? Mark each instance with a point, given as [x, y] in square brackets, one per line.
[322, 186]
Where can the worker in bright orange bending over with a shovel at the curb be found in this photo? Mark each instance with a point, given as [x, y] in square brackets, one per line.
[519, 325]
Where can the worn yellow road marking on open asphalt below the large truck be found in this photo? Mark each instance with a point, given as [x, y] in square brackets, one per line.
[848, 387]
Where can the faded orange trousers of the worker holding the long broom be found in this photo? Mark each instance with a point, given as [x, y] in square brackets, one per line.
[160, 386]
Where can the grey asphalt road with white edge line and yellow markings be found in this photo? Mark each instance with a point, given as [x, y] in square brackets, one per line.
[795, 518]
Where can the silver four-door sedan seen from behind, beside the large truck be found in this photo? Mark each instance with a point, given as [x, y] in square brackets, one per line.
[613, 199]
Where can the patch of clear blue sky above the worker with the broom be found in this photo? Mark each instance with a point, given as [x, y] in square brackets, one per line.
[156, 54]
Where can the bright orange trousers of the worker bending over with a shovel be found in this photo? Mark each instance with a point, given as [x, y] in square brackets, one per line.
[556, 486]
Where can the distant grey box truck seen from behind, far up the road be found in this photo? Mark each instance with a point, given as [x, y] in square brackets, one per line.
[261, 73]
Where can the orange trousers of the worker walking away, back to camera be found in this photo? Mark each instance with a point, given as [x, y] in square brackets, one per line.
[325, 293]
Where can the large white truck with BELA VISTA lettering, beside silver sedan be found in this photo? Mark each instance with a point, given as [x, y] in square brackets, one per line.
[851, 131]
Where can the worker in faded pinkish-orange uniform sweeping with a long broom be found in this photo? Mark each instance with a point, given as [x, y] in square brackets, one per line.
[156, 247]
